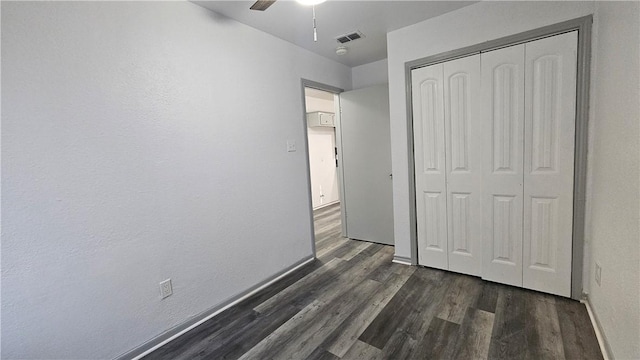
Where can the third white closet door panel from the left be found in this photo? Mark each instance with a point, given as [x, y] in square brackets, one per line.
[503, 132]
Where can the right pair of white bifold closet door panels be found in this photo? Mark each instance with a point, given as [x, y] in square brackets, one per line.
[529, 134]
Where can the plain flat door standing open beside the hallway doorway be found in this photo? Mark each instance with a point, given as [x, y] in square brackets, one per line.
[366, 159]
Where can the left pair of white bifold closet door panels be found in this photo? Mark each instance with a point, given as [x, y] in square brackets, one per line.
[448, 161]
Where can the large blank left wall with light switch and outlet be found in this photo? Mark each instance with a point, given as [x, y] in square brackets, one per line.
[141, 141]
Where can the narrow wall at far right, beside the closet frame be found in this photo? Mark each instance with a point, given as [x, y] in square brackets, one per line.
[613, 227]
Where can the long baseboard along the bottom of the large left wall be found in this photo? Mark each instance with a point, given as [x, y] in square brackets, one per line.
[190, 324]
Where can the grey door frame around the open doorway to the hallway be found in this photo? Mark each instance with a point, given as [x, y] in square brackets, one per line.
[304, 83]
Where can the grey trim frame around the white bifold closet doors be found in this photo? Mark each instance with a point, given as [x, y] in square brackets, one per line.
[583, 26]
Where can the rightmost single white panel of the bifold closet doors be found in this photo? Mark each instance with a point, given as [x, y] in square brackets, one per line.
[549, 160]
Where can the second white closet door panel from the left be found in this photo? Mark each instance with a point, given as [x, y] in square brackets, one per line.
[463, 164]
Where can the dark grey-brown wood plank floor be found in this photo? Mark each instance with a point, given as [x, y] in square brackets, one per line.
[354, 303]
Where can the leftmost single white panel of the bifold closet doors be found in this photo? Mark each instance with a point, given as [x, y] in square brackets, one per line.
[429, 152]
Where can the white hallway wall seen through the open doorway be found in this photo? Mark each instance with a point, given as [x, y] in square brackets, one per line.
[322, 142]
